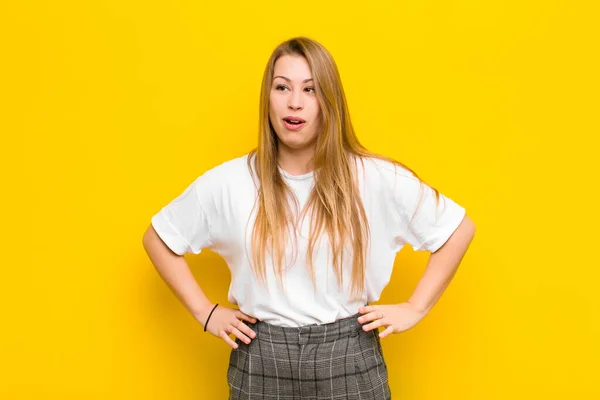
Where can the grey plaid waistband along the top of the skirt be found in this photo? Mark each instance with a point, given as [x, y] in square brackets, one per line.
[315, 333]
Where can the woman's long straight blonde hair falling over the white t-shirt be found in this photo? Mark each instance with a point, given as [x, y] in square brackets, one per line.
[334, 204]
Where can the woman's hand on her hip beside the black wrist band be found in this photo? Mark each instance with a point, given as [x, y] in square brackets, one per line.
[226, 321]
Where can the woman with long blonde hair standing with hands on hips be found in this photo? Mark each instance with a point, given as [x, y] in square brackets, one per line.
[309, 224]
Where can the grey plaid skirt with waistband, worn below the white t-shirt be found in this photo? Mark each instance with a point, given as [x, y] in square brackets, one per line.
[330, 361]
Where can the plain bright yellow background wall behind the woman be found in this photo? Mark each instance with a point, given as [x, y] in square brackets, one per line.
[109, 109]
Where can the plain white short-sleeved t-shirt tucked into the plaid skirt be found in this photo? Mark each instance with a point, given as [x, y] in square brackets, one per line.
[213, 212]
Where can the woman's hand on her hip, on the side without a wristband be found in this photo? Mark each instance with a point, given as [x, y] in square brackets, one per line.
[396, 317]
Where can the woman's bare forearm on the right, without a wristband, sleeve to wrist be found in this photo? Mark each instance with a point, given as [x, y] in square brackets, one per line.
[442, 266]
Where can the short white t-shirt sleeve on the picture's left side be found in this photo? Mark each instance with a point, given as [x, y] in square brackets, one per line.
[182, 224]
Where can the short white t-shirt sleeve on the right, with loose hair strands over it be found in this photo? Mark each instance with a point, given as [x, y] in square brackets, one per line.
[420, 220]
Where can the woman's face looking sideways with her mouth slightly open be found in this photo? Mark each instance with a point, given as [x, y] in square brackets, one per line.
[293, 100]
